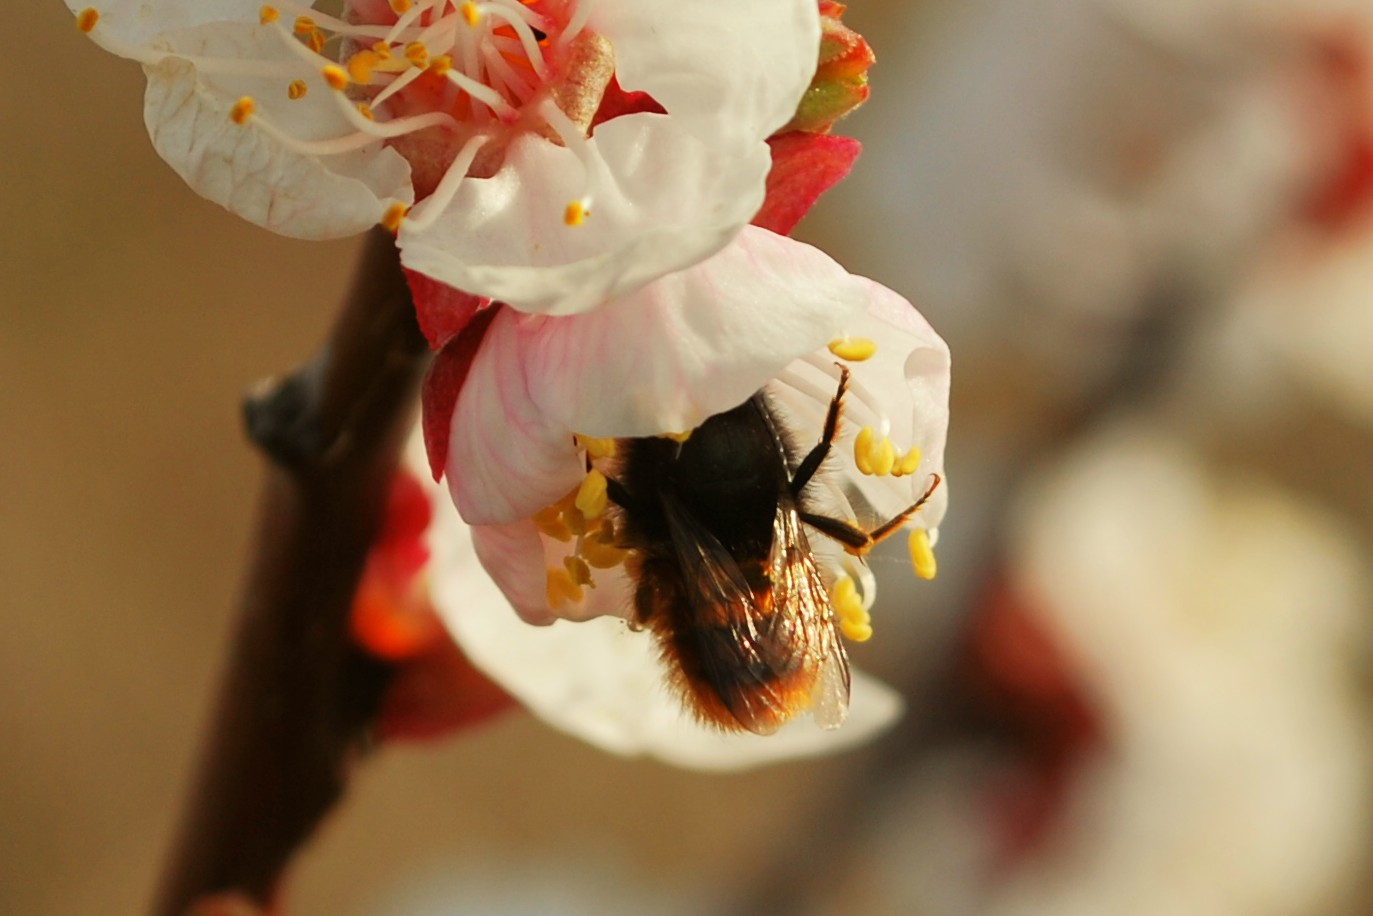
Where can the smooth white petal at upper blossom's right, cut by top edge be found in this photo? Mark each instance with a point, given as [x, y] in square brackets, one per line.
[731, 73]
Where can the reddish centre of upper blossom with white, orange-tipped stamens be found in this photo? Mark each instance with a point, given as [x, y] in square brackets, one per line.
[448, 84]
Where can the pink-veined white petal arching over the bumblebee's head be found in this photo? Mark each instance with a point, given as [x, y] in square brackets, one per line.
[684, 348]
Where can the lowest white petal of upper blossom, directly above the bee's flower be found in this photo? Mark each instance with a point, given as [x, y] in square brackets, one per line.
[664, 201]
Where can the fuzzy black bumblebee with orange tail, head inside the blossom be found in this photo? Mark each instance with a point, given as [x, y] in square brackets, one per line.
[726, 576]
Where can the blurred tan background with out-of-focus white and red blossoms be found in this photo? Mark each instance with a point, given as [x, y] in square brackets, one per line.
[1139, 686]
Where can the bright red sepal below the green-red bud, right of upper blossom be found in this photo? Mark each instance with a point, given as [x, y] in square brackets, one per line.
[805, 165]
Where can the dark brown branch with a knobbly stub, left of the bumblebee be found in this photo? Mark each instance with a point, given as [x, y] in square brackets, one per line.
[299, 698]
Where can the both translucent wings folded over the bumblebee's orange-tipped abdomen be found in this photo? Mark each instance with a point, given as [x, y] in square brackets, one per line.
[771, 656]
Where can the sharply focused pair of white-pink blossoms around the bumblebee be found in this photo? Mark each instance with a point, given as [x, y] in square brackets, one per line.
[592, 200]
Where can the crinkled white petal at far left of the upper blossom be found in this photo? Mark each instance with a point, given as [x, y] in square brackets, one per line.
[248, 170]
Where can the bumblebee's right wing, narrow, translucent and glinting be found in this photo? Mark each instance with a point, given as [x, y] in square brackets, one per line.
[800, 591]
